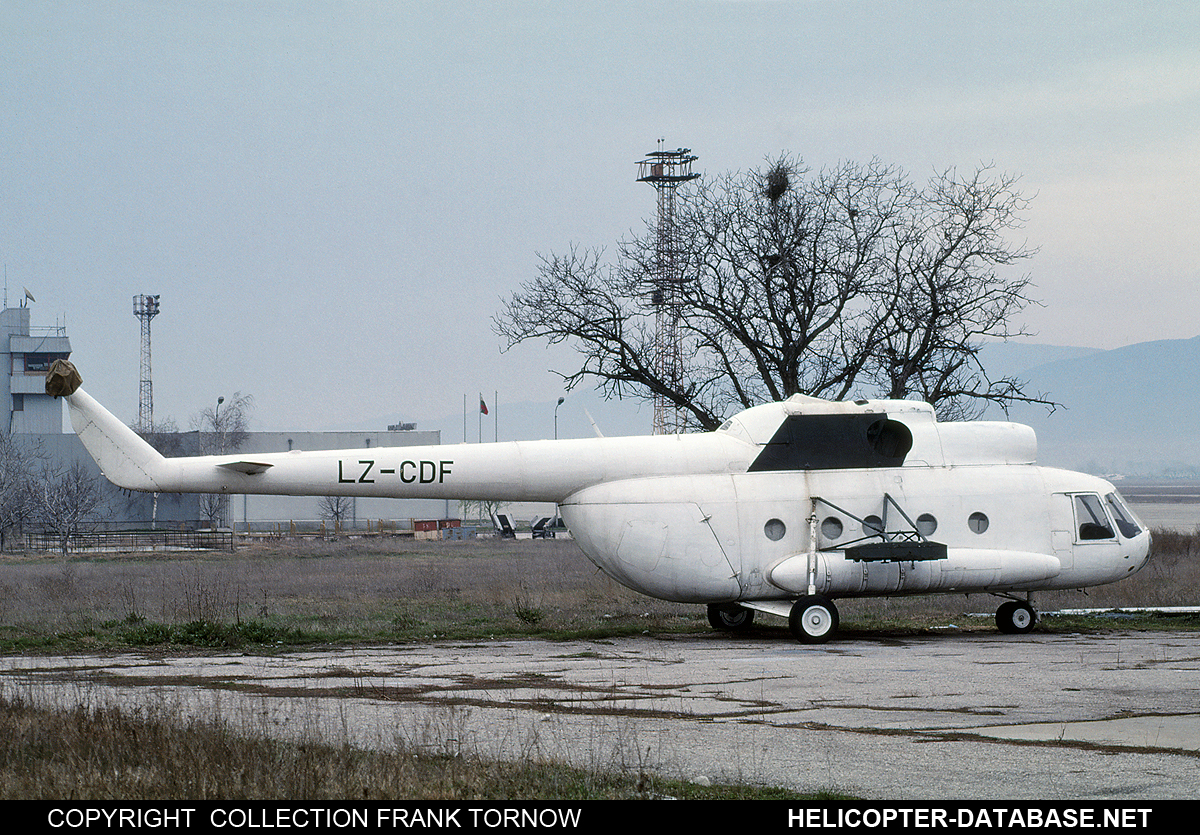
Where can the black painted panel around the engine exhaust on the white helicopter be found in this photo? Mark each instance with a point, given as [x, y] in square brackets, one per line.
[836, 442]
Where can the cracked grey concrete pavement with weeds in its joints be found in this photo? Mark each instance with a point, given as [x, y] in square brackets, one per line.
[943, 717]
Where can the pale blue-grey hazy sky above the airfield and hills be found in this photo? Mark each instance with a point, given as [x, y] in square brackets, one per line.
[333, 200]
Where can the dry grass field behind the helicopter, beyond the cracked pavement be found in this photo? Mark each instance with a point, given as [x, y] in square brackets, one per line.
[392, 590]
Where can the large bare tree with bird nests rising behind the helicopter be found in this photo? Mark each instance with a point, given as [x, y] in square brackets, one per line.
[847, 283]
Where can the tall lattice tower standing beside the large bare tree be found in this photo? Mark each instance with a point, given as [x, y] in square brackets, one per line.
[665, 171]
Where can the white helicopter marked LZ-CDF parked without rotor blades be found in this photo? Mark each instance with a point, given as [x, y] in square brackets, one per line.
[784, 509]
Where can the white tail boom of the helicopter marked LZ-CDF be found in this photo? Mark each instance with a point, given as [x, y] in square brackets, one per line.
[543, 471]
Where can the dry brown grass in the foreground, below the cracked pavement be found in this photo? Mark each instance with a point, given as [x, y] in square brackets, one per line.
[109, 753]
